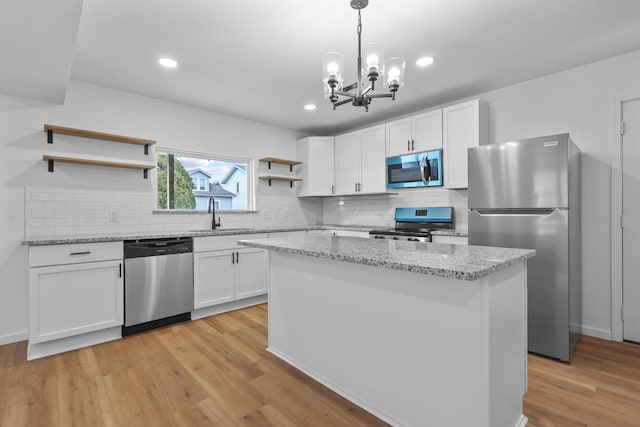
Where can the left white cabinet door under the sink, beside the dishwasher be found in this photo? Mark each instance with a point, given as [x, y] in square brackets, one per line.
[213, 279]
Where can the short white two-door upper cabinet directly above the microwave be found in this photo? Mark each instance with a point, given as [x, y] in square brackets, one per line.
[414, 134]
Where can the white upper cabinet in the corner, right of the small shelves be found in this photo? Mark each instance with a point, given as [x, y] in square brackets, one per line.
[316, 171]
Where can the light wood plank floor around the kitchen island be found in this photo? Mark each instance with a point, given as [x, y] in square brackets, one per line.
[216, 371]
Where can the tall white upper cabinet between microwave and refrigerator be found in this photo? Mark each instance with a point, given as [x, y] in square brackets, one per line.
[465, 125]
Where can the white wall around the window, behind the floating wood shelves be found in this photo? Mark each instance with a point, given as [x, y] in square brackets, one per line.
[23, 142]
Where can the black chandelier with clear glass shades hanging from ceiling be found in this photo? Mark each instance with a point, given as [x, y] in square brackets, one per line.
[375, 68]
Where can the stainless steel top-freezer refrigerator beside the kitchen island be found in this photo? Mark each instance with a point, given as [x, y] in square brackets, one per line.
[526, 194]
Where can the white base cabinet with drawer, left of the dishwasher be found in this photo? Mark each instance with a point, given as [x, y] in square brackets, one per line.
[74, 290]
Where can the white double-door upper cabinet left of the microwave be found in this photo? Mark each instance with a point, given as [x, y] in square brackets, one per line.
[359, 162]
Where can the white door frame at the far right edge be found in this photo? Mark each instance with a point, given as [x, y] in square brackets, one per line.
[616, 212]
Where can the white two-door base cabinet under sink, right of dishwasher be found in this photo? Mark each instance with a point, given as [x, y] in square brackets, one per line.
[225, 272]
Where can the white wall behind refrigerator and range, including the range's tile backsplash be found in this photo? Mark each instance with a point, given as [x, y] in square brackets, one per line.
[578, 101]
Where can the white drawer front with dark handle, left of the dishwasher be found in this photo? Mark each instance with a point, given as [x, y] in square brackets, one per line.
[40, 256]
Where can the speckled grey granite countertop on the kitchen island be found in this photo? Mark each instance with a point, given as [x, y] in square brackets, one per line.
[438, 259]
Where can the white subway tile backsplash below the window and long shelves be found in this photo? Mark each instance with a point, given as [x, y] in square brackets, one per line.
[56, 212]
